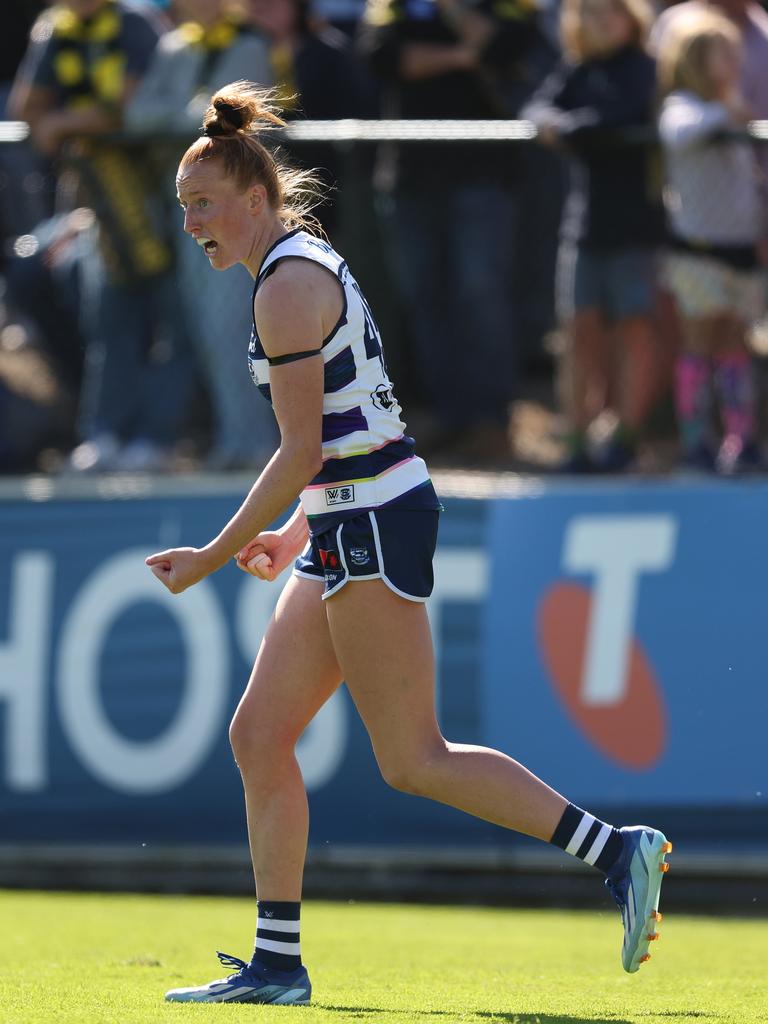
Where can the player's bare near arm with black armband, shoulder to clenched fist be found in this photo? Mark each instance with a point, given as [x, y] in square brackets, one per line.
[295, 310]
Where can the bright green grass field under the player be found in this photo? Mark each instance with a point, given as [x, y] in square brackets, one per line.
[94, 959]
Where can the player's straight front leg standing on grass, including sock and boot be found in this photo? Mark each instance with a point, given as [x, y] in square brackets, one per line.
[294, 675]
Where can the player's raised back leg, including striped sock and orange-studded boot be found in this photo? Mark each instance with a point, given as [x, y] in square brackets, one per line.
[385, 649]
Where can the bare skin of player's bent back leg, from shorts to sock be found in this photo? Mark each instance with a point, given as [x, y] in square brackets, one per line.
[385, 648]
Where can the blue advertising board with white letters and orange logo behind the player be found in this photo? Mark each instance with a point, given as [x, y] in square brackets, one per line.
[609, 636]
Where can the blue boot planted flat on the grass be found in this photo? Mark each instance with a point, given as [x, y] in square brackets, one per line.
[249, 986]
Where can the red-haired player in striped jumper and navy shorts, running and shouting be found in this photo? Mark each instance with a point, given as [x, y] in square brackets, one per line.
[362, 541]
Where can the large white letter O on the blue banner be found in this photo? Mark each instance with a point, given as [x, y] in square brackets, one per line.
[166, 761]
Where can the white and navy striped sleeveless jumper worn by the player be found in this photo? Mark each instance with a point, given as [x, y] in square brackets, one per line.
[368, 461]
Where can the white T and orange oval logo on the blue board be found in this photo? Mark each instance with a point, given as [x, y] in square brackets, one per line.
[596, 665]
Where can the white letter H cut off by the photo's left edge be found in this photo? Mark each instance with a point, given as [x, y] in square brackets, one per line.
[24, 662]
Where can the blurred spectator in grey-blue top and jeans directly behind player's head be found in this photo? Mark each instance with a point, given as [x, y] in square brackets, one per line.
[209, 49]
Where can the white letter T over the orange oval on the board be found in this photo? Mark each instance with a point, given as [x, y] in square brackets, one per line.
[617, 550]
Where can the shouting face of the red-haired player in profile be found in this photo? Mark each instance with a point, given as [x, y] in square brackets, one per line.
[221, 218]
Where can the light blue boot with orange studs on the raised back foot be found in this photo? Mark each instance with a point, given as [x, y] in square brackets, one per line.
[635, 884]
